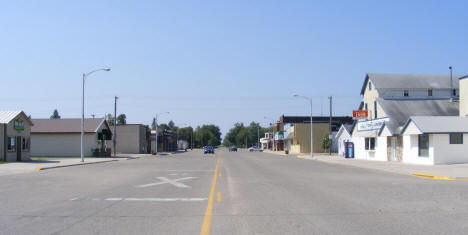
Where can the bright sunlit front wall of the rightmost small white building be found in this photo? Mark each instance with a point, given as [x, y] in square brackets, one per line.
[411, 151]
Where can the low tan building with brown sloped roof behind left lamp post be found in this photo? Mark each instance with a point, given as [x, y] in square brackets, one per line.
[62, 137]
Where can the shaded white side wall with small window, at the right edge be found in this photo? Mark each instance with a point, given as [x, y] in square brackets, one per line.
[446, 153]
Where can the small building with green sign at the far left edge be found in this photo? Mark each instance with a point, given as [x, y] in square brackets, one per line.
[15, 129]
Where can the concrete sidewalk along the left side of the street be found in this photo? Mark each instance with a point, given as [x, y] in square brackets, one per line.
[47, 163]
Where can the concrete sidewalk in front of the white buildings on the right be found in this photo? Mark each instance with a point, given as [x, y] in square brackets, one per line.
[450, 172]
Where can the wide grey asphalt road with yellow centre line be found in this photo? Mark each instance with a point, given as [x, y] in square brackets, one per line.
[228, 193]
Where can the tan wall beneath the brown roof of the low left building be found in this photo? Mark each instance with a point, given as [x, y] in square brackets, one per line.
[62, 145]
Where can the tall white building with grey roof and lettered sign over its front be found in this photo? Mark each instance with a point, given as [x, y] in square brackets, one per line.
[391, 100]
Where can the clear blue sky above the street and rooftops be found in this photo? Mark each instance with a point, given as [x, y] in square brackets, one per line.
[217, 62]
